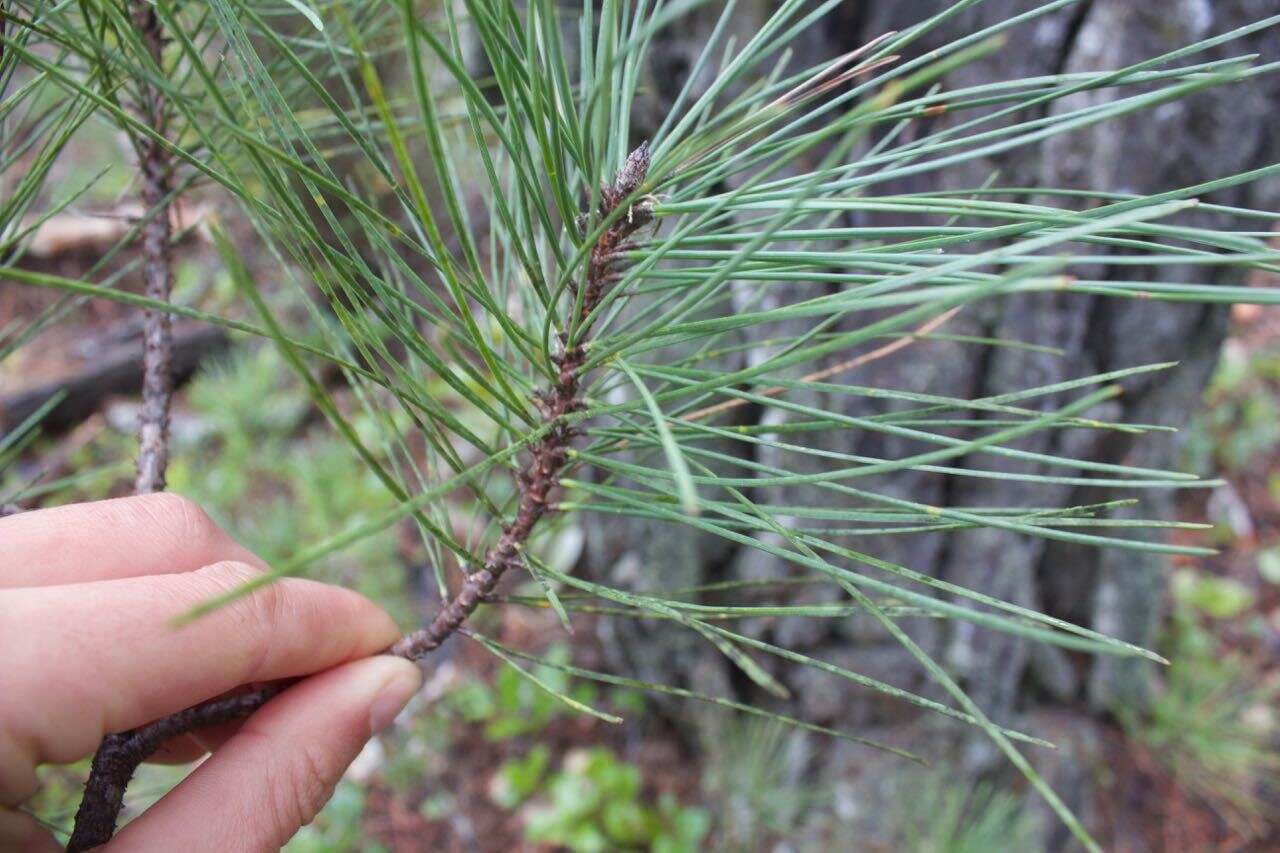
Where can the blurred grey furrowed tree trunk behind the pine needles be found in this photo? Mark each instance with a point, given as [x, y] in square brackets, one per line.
[1121, 594]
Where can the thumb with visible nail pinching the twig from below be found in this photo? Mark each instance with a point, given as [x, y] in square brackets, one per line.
[281, 768]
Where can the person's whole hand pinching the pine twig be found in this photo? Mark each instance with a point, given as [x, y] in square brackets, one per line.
[88, 594]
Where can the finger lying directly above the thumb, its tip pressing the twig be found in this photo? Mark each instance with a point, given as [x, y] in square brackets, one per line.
[89, 659]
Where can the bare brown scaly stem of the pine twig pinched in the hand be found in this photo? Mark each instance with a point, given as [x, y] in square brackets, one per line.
[121, 755]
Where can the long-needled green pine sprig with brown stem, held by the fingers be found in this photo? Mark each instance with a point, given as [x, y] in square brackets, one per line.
[547, 317]
